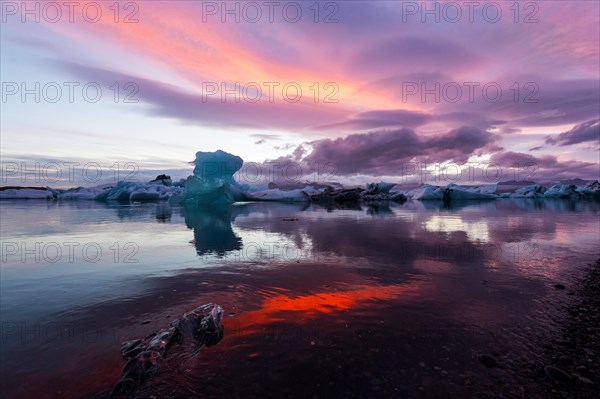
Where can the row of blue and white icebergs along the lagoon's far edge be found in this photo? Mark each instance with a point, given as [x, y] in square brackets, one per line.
[212, 182]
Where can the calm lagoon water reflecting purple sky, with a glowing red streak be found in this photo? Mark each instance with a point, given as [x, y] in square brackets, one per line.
[378, 301]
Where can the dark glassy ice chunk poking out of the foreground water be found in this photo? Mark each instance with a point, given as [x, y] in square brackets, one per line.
[199, 327]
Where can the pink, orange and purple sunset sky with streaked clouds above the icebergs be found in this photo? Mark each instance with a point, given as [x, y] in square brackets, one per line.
[369, 74]
